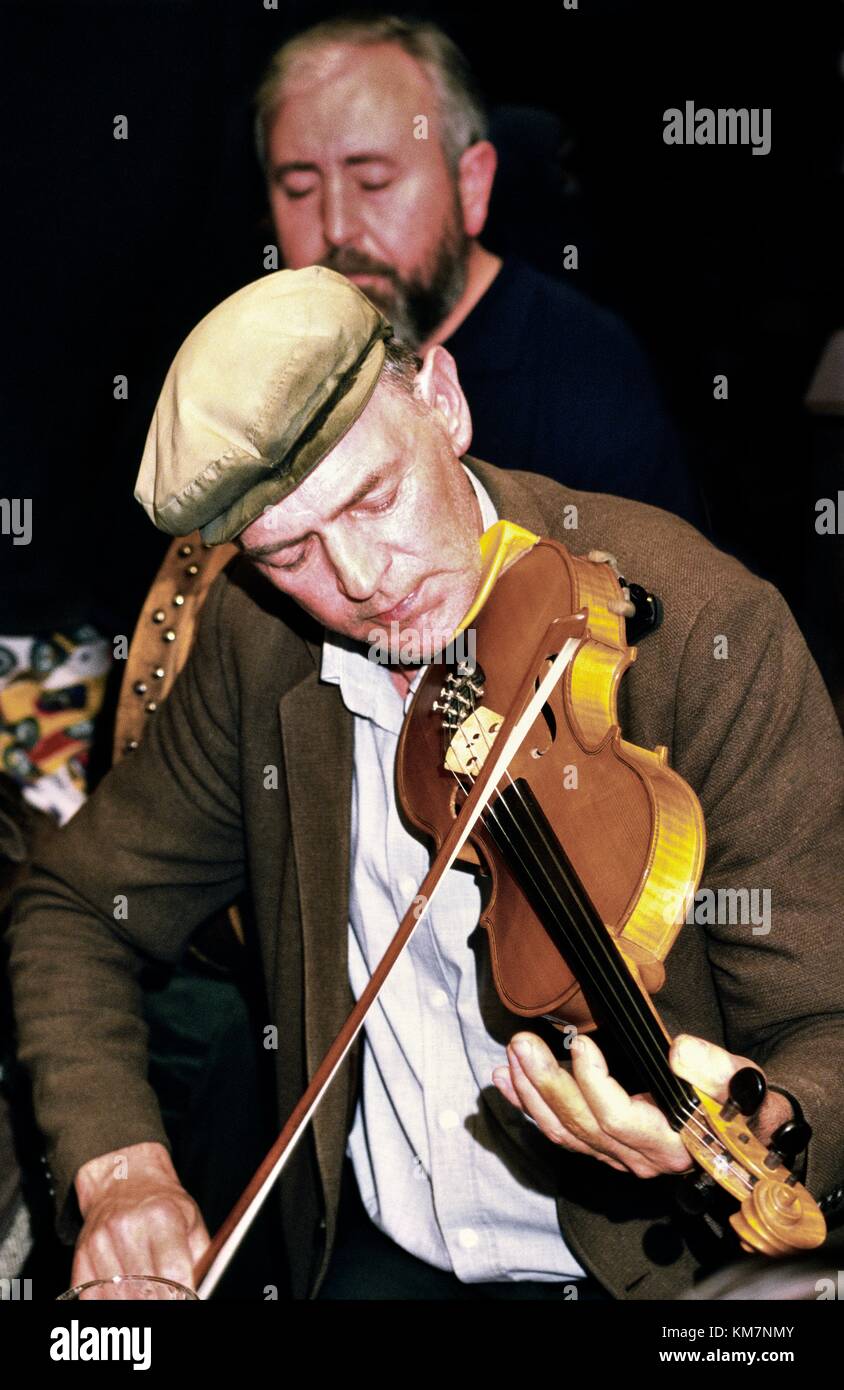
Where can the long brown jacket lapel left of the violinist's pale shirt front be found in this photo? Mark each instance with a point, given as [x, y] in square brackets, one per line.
[318, 737]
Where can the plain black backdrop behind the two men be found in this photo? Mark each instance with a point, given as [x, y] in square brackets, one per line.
[721, 261]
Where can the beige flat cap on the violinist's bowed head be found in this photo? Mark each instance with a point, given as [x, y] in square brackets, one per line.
[257, 397]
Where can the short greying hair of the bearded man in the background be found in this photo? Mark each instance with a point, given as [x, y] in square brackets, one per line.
[462, 113]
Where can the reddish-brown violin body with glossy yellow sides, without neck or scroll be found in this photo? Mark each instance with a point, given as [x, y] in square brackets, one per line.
[632, 828]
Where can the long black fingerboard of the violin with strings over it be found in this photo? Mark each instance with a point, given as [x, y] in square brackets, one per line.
[617, 1000]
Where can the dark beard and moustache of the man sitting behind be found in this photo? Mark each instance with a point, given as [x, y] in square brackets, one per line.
[419, 305]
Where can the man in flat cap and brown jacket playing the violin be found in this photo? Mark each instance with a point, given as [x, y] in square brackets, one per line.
[489, 1161]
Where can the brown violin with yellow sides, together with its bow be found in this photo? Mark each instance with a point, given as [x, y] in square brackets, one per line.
[514, 761]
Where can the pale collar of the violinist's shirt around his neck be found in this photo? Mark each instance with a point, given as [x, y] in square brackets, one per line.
[366, 689]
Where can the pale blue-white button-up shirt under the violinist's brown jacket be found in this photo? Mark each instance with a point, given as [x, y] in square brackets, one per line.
[447, 1167]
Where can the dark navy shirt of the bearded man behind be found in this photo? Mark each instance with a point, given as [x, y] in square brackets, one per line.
[561, 387]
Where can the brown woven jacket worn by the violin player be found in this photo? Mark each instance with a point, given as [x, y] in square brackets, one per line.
[193, 819]
